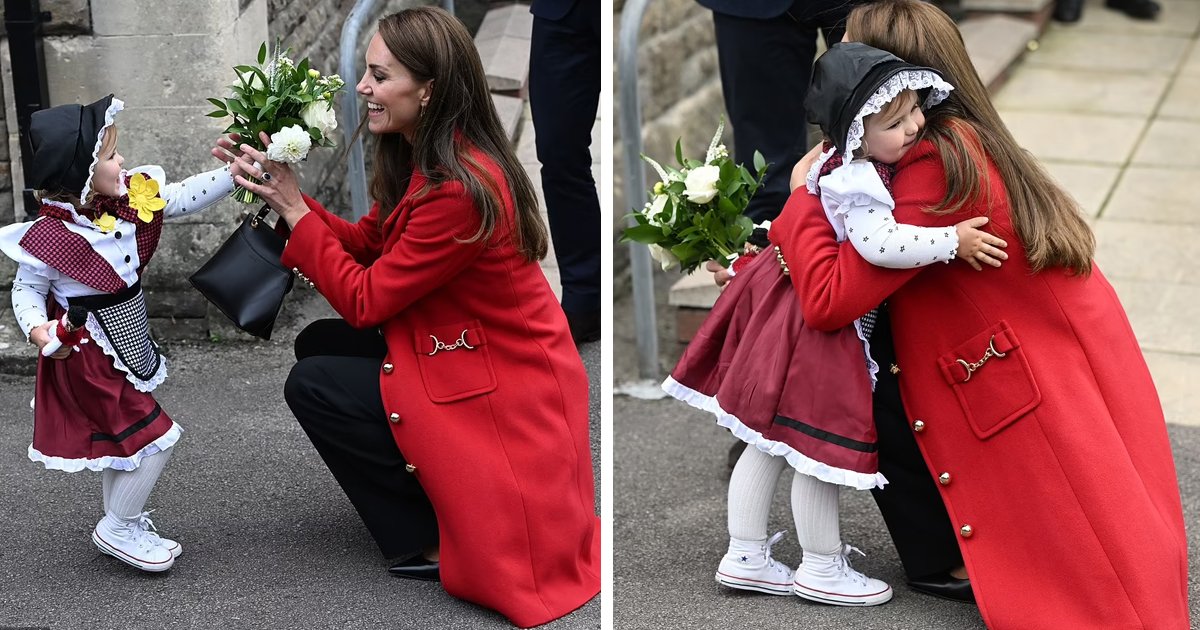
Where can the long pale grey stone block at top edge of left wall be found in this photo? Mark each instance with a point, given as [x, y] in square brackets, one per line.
[129, 17]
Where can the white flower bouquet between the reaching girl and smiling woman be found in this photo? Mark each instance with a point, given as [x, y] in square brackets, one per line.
[292, 103]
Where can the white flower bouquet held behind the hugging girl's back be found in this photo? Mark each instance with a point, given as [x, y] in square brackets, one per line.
[695, 213]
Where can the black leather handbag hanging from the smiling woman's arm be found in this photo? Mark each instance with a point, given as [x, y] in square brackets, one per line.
[245, 279]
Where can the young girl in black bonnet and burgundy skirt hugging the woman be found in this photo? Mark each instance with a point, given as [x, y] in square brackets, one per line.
[801, 397]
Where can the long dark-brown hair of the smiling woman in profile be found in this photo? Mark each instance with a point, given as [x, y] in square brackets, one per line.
[435, 46]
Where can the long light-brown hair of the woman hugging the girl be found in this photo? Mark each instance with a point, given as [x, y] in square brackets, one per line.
[1048, 220]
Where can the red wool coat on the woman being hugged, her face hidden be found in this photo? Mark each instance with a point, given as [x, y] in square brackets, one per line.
[1059, 473]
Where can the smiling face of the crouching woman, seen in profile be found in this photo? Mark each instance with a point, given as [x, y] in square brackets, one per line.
[394, 97]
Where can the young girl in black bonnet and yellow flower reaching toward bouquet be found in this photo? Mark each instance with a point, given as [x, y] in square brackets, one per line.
[85, 255]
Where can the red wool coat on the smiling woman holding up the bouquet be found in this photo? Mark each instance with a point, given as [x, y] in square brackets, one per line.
[485, 392]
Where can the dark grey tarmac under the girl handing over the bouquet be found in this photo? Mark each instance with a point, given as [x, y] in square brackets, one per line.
[269, 539]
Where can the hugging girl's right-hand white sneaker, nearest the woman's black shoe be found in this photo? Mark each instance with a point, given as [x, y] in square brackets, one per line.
[837, 583]
